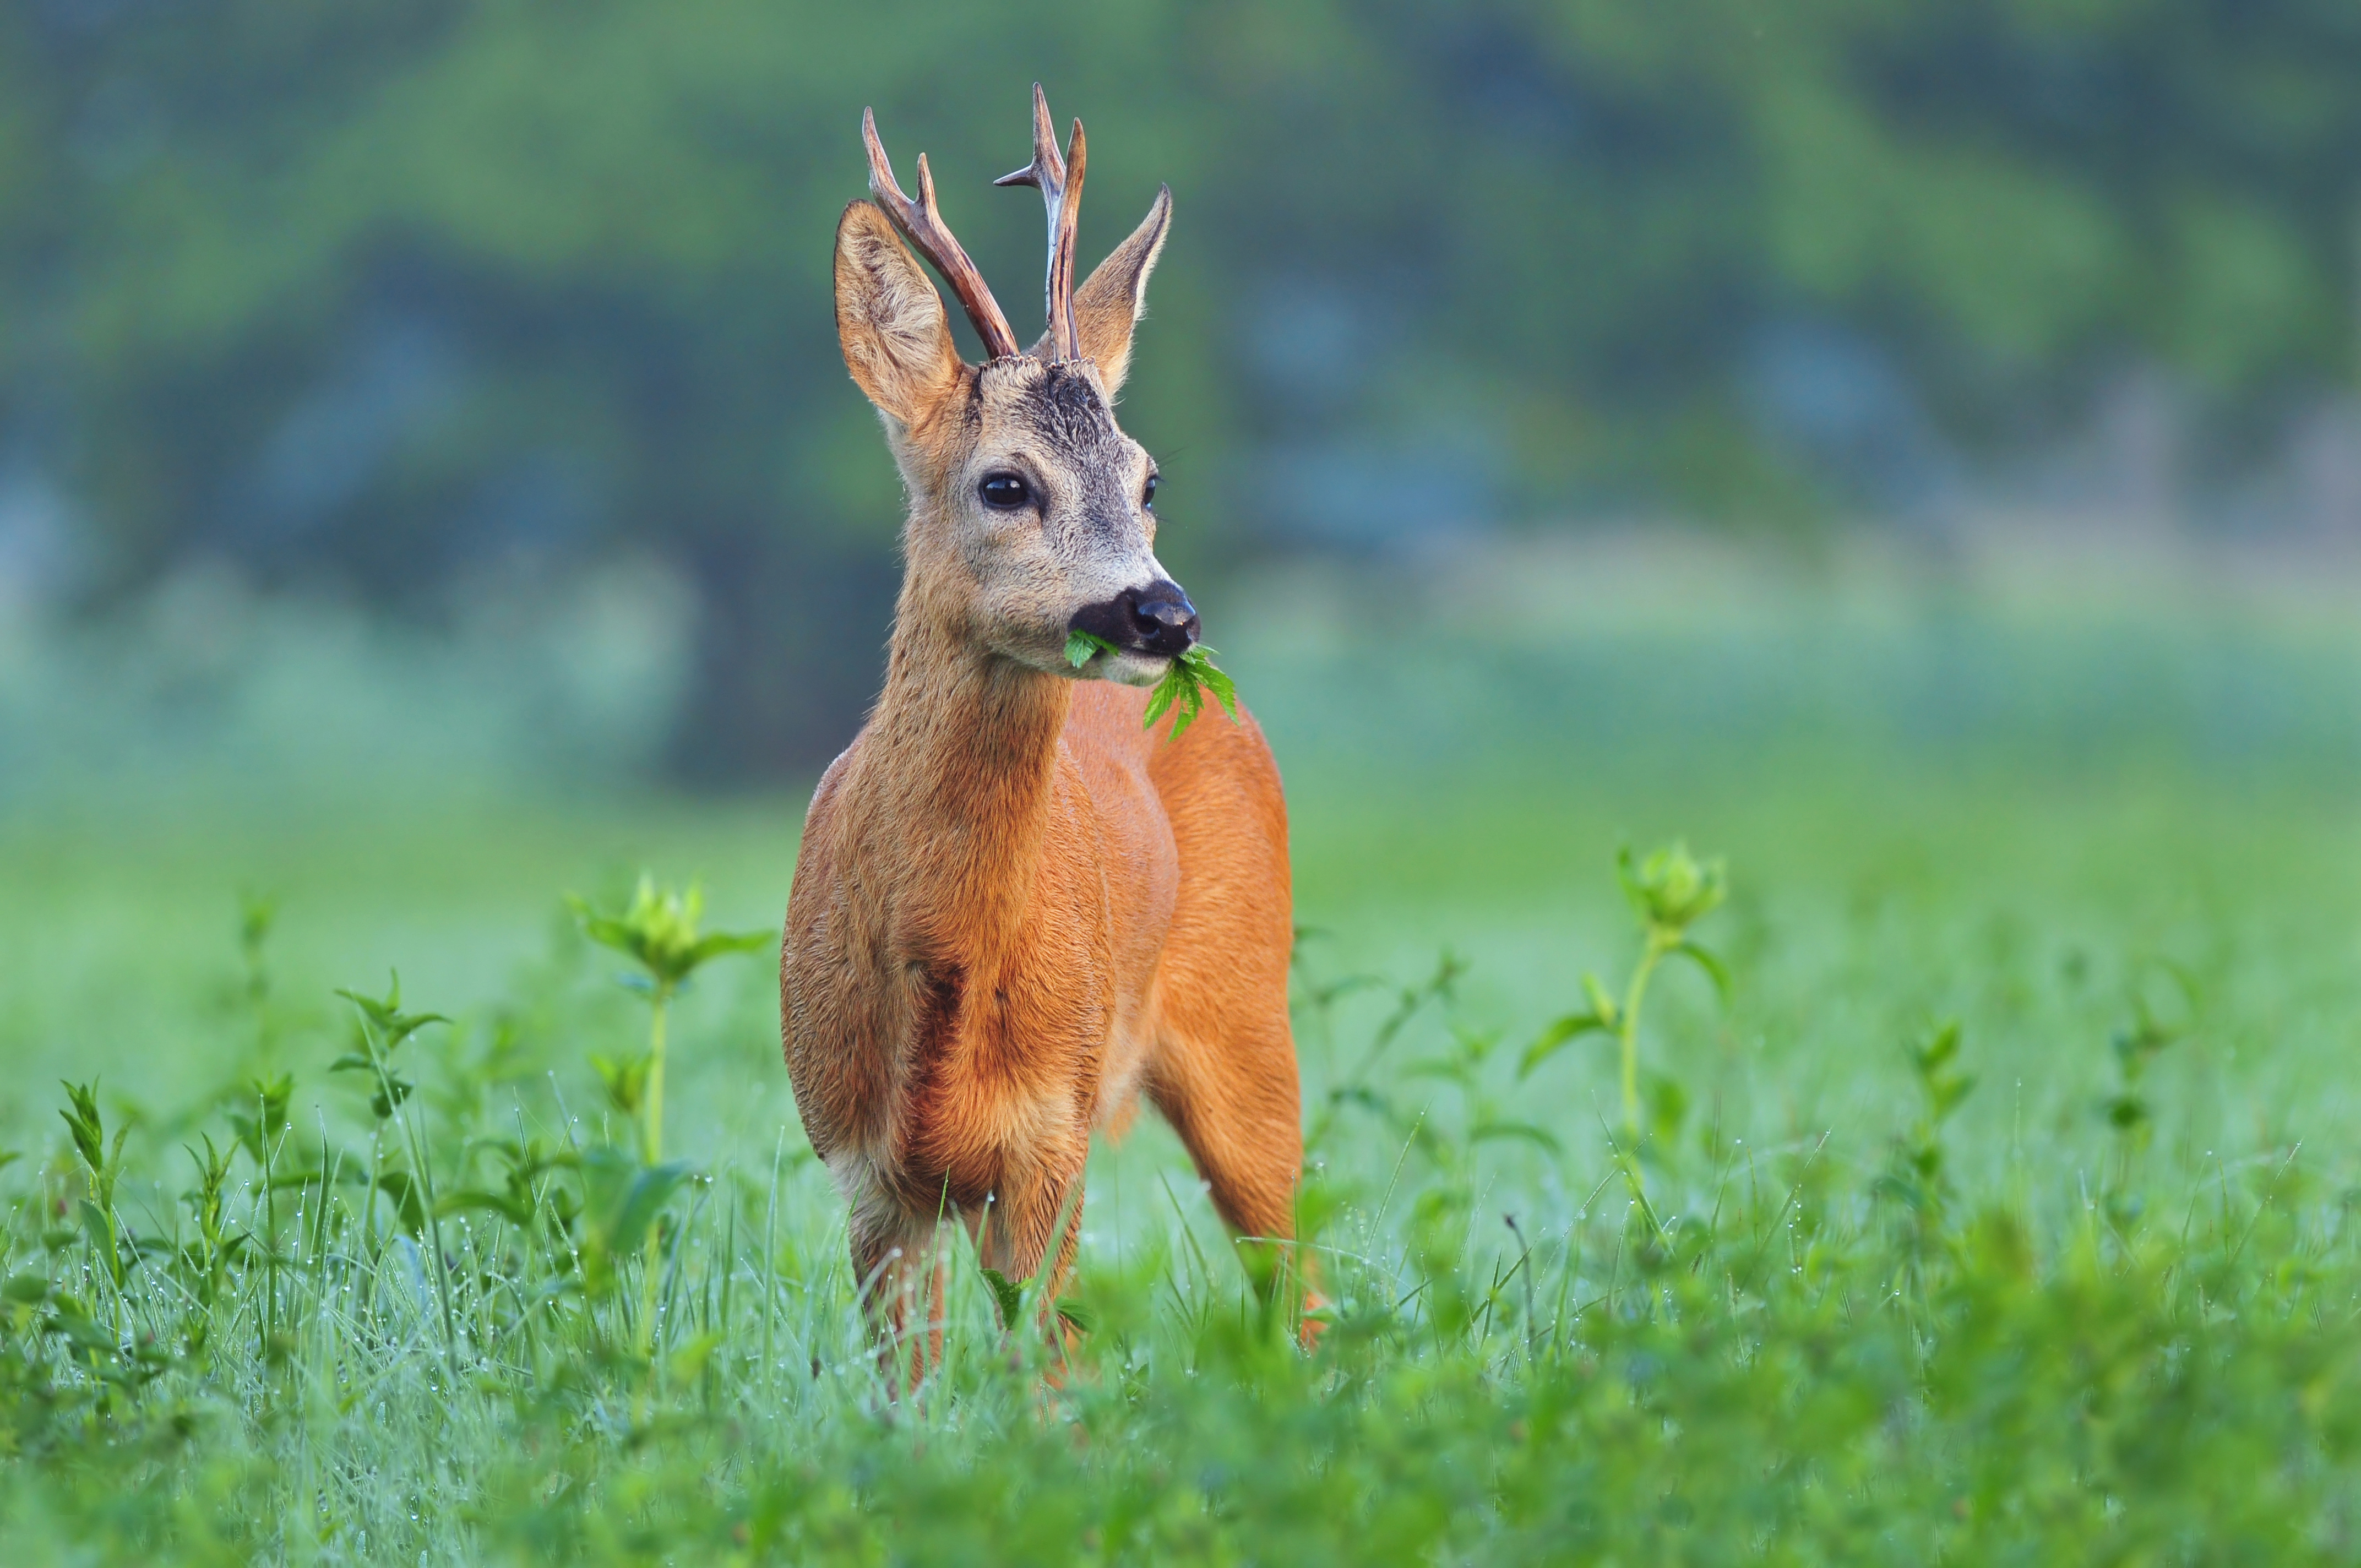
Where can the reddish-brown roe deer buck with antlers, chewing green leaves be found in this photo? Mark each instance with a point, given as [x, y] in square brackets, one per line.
[1019, 908]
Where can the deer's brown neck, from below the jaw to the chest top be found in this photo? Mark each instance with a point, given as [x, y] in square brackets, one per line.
[967, 762]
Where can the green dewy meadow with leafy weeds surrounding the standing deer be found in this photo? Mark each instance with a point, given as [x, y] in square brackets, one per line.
[1994, 1206]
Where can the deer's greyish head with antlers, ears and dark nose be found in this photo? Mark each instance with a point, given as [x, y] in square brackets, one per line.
[1033, 514]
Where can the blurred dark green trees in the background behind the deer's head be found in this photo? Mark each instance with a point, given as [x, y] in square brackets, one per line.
[386, 294]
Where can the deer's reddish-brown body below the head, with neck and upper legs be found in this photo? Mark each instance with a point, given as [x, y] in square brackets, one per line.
[1014, 913]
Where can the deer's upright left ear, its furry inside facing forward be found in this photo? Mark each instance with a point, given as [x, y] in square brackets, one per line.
[889, 318]
